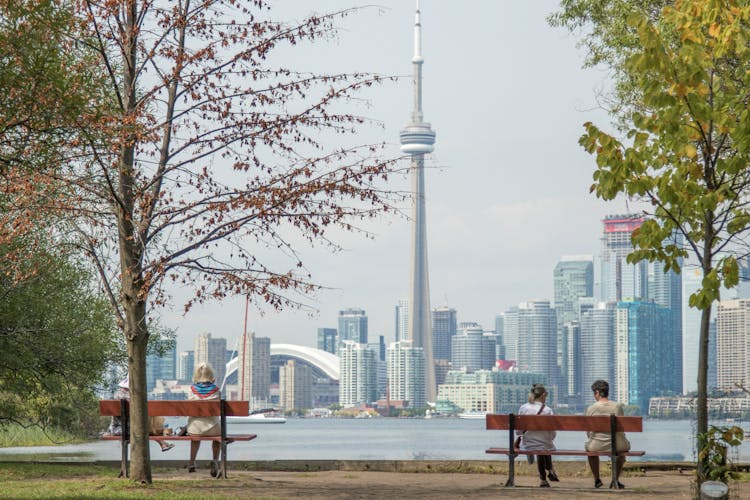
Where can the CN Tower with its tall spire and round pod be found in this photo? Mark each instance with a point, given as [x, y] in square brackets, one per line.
[417, 139]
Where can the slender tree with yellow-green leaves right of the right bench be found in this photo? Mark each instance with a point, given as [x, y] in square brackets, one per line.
[685, 152]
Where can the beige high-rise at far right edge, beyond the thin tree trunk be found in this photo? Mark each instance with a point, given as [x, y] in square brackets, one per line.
[733, 343]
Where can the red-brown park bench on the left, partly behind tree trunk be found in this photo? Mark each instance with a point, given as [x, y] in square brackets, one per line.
[211, 408]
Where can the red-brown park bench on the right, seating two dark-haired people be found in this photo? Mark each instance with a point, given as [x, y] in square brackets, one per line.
[599, 423]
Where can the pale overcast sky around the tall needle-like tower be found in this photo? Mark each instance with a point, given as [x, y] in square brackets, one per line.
[507, 187]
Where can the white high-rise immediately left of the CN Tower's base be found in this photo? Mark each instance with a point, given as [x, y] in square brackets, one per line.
[405, 368]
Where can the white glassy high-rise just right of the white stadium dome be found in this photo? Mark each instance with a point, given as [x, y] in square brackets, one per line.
[358, 374]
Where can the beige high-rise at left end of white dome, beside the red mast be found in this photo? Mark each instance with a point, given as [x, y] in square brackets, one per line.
[254, 375]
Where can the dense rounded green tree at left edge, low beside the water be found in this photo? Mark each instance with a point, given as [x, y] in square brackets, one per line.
[56, 338]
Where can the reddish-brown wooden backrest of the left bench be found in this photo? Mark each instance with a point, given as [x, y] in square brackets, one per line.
[211, 408]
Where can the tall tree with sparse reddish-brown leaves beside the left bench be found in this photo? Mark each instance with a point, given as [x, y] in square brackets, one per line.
[198, 159]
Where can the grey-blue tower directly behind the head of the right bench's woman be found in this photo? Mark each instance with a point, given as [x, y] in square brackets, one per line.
[537, 340]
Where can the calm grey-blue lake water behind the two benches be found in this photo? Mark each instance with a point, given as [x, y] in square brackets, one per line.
[387, 439]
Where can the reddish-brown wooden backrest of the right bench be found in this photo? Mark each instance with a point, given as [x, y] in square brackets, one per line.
[598, 423]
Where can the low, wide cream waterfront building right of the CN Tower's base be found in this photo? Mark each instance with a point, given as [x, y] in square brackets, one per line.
[487, 391]
